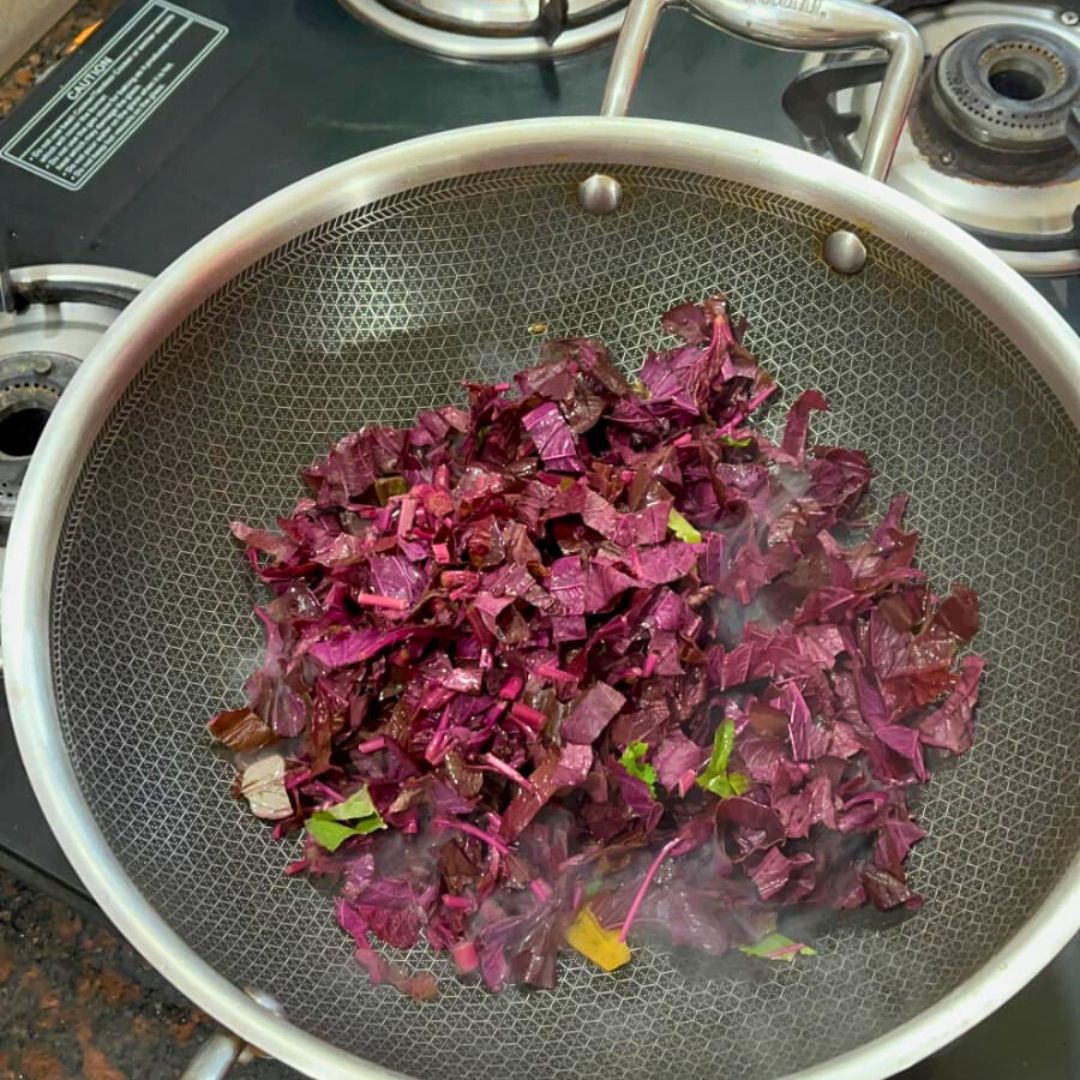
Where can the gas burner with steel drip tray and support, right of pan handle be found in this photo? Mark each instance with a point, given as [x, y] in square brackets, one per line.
[987, 145]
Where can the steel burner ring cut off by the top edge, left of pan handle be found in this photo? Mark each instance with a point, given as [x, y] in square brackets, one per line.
[495, 30]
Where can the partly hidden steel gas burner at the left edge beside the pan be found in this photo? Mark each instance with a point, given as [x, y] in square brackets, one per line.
[60, 315]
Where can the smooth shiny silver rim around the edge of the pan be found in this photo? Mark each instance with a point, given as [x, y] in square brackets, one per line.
[1027, 320]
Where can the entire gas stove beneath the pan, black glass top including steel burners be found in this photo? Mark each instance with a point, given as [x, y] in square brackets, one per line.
[174, 117]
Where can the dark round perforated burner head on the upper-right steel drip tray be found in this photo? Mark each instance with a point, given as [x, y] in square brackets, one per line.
[1008, 88]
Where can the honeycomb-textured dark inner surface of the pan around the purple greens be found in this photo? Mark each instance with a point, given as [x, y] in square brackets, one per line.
[384, 312]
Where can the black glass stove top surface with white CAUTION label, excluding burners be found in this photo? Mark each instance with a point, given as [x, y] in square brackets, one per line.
[221, 104]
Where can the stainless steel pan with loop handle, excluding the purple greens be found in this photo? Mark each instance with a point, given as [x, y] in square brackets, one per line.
[370, 291]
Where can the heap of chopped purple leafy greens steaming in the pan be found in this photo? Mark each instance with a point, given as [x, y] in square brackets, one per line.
[593, 659]
